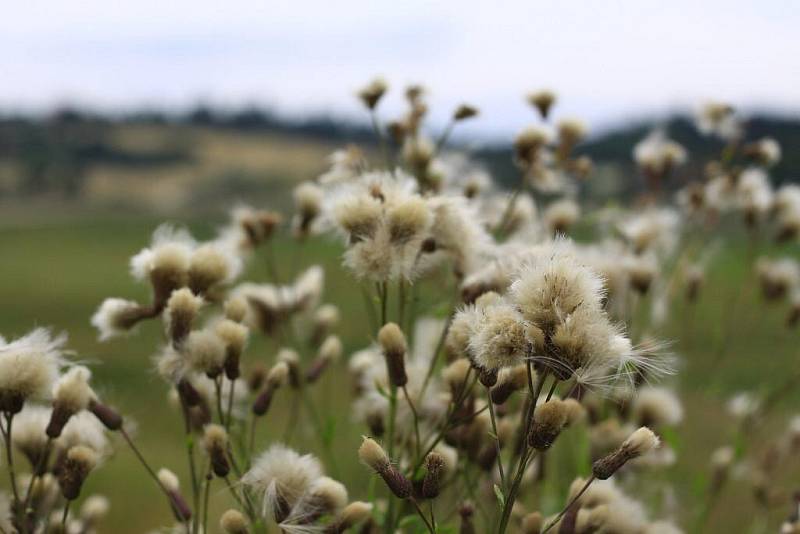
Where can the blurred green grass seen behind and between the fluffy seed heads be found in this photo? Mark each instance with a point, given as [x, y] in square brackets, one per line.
[56, 270]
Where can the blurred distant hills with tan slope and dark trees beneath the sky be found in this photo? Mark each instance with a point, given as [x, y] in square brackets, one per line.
[74, 153]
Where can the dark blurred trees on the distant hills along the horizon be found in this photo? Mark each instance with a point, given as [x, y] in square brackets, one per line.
[52, 152]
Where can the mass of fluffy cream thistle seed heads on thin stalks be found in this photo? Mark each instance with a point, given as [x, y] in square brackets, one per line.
[505, 374]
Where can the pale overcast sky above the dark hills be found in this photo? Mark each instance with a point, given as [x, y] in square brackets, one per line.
[608, 60]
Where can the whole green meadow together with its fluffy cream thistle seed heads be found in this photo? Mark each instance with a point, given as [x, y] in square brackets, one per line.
[415, 349]
